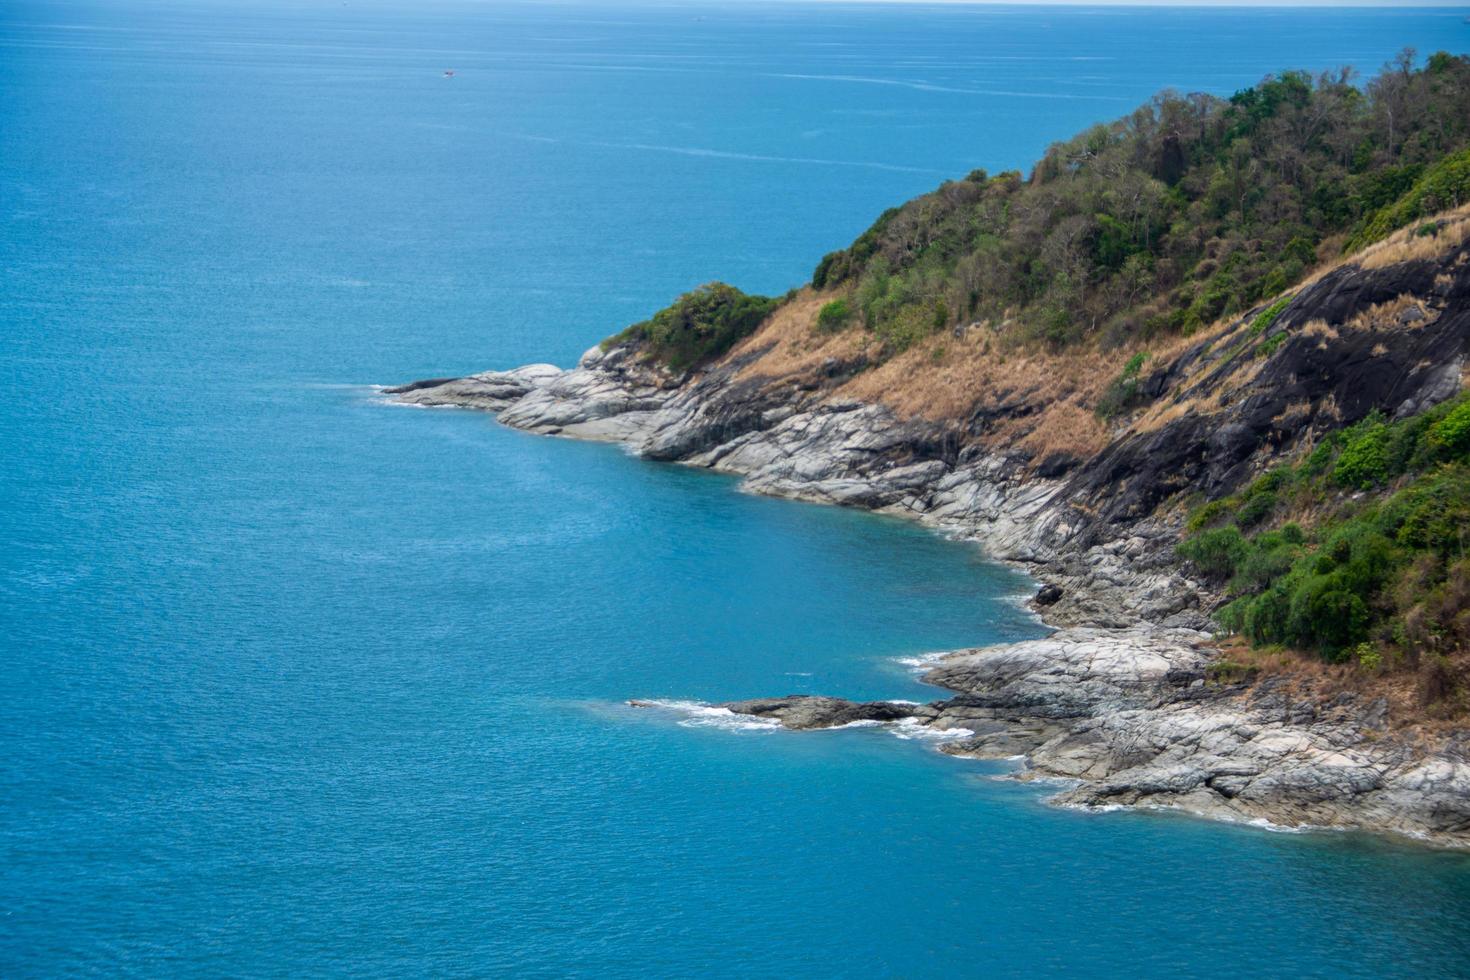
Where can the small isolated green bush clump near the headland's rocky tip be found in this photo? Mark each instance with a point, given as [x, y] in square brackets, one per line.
[700, 325]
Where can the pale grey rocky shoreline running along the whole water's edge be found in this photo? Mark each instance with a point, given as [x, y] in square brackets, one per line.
[1121, 700]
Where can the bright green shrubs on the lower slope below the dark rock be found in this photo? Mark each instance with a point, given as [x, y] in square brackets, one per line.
[1380, 575]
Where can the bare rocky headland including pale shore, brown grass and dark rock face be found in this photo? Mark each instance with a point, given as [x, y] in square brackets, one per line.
[1130, 697]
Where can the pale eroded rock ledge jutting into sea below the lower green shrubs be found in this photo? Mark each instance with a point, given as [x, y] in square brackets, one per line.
[1134, 718]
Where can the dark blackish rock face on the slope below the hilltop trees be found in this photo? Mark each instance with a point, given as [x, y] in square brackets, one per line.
[1333, 370]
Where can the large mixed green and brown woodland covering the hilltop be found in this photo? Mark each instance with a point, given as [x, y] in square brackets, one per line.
[1188, 209]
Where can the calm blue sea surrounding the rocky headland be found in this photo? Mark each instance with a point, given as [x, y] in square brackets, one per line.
[301, 684]
